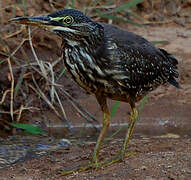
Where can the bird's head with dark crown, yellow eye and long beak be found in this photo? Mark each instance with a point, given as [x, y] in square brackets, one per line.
[70, 24]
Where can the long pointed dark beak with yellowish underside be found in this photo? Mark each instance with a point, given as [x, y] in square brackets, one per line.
[40, 21]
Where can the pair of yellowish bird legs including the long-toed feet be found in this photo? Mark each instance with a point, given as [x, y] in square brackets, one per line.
[94, 164]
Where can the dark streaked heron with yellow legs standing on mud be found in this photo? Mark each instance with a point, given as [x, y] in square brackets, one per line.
[110, 63]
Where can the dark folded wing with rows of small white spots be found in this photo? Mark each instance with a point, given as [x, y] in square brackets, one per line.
[135, 62]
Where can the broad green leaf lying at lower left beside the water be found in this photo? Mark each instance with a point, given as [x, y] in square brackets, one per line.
[31, 129]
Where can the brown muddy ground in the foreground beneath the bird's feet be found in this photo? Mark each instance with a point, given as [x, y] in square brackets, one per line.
[156, 158]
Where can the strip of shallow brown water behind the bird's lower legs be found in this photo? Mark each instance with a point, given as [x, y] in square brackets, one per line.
[141, 130]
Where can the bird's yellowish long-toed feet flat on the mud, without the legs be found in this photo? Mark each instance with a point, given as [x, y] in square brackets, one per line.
[97, 165]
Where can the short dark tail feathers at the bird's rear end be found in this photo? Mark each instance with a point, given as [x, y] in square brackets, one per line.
[174, 64]
